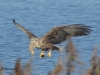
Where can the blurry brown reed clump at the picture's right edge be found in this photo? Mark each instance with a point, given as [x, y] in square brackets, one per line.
[95, 63]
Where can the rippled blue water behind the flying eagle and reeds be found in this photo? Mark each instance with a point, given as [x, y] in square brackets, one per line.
[39, 16]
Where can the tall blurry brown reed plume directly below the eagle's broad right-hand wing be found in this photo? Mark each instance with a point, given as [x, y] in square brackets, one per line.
[71, 55]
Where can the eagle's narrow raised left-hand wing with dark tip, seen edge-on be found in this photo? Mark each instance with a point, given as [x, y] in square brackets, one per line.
[29, 34]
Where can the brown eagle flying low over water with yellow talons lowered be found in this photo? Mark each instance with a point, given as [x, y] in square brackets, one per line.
[57, 35]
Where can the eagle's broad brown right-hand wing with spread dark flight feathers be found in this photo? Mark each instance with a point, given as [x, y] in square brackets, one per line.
[60, 34]
